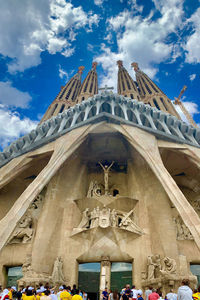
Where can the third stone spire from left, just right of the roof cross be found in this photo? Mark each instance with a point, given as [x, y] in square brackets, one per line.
[126, 85]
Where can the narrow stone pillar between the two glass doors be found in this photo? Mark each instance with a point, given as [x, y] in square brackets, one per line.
[105, 273]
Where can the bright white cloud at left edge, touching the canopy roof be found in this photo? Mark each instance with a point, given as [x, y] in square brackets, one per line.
[17, 126]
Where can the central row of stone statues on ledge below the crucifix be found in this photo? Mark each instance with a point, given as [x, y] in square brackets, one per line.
[106, 217]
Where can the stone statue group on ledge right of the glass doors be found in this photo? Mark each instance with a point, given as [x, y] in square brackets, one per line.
[157, 267]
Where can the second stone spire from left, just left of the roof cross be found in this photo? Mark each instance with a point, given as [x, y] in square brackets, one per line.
[90, 84]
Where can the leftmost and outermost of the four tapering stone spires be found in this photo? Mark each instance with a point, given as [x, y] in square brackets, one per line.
[67, 96]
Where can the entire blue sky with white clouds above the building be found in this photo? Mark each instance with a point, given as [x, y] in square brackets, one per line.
[43, 42]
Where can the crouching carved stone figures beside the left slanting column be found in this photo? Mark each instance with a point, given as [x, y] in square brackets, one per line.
[24, 231]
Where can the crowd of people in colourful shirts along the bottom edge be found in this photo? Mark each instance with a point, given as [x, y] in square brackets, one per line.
[127, 293]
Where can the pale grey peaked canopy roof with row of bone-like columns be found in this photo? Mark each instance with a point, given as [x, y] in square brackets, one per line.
[112, 108]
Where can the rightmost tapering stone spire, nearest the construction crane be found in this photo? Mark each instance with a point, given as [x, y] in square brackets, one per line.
[151, 94]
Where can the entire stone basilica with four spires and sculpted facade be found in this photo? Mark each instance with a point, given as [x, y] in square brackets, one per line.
[106, 182]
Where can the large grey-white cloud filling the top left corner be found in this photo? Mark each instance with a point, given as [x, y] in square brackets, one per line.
[29, 27]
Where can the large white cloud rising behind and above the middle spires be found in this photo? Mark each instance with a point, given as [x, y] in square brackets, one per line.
[144, 40]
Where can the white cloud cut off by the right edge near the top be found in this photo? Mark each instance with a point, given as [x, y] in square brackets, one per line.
[192, 45]
